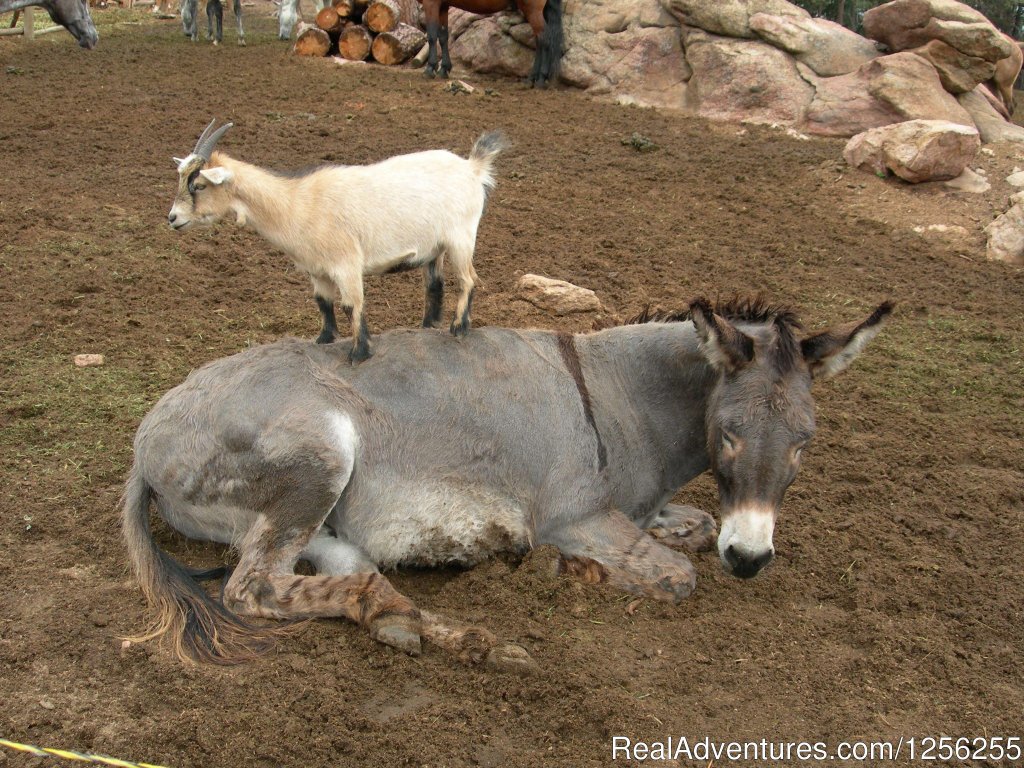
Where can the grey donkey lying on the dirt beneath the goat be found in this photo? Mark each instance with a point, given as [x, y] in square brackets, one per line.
[436, 452]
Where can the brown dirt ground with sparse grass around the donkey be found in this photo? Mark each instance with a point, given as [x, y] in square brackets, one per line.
[894, 608]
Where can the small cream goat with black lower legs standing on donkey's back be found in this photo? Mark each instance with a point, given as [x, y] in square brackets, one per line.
[342, 223]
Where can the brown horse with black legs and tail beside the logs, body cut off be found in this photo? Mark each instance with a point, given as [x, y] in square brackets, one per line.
[544, 17]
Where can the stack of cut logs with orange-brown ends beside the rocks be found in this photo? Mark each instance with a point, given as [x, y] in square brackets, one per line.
[388, 31]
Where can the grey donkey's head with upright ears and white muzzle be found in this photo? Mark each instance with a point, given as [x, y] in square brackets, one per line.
[761, 414]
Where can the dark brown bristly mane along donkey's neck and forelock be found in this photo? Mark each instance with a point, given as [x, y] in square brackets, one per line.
[754, 310]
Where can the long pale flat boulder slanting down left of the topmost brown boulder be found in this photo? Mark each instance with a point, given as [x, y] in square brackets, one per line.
[829, 49]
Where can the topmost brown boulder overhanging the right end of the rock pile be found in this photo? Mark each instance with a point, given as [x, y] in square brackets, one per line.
[904, 25]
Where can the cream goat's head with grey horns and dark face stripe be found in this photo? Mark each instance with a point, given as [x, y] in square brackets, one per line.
[202, 197]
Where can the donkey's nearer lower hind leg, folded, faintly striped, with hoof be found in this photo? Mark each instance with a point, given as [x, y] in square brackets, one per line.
[265, 584]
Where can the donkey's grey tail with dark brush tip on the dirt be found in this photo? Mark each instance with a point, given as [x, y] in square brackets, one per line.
[202, 629]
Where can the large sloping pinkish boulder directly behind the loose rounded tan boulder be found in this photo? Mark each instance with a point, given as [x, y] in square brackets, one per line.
[887, 90]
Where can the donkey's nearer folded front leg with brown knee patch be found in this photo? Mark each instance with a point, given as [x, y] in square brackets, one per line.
[612, 549]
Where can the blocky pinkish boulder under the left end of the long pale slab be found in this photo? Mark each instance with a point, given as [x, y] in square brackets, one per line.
[744, 80]
